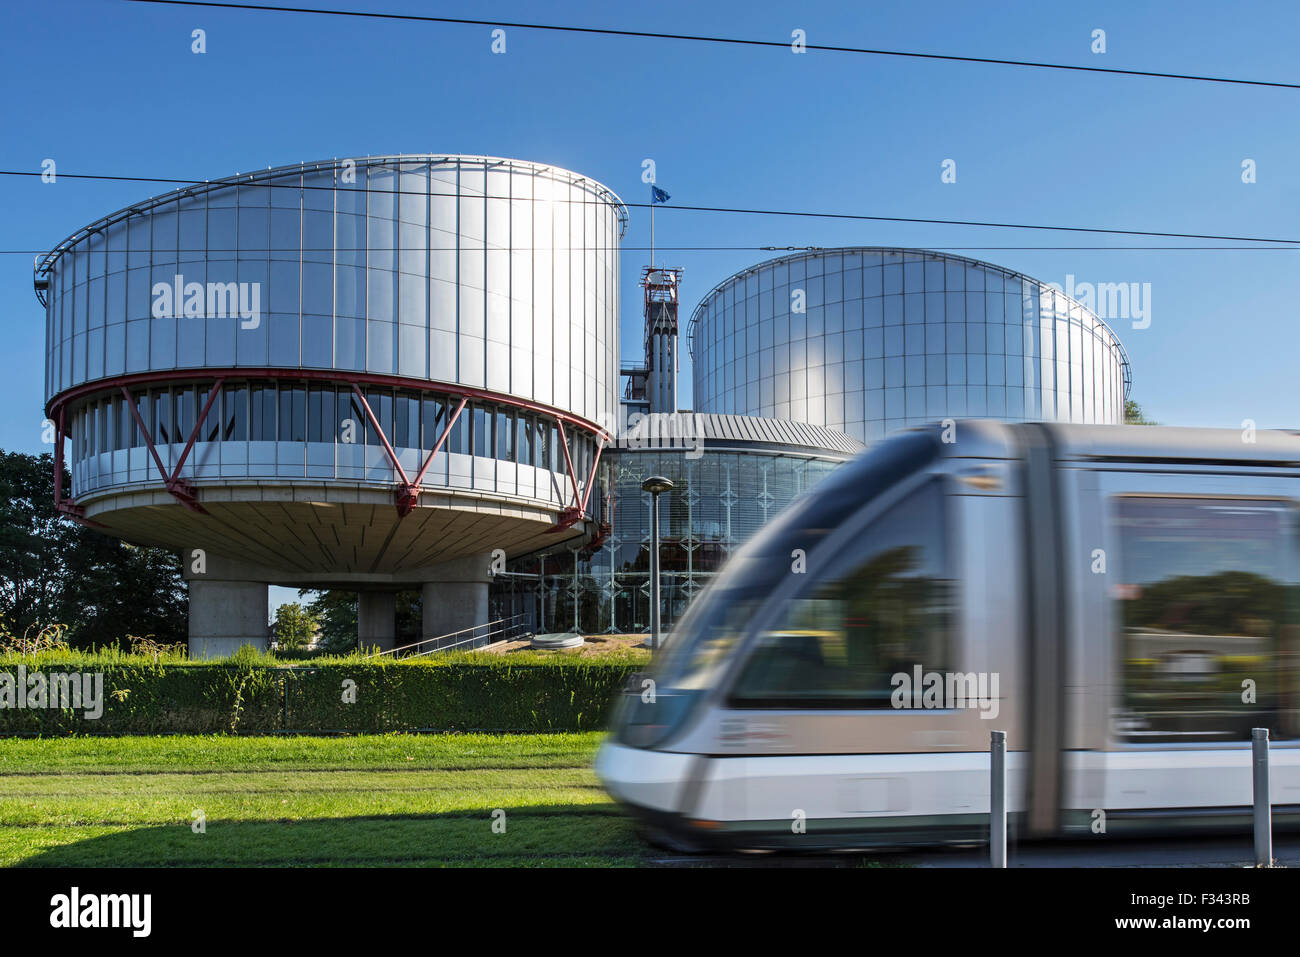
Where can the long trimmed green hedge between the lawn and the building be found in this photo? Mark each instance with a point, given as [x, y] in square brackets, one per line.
[241, 698]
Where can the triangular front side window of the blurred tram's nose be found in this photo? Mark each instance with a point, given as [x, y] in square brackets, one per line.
[889, 612]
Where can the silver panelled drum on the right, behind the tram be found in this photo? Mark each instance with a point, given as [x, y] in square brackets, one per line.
[870, 340]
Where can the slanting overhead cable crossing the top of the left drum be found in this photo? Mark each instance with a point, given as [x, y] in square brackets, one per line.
[744, 211]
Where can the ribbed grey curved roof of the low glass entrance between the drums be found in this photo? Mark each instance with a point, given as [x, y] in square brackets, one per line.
[690, 431]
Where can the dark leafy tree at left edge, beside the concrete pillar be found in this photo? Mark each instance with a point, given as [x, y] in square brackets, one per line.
[54, 571]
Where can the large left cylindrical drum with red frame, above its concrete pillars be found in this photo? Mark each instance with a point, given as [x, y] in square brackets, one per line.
[306, 335]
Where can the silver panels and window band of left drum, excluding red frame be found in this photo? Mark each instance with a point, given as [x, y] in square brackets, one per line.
[493, 275]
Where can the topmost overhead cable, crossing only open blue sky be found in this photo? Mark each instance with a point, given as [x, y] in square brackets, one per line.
[730, 41]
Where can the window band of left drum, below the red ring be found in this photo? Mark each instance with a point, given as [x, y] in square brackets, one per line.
[263, 428]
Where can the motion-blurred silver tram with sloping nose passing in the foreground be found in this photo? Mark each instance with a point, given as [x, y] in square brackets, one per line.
[1124, 603]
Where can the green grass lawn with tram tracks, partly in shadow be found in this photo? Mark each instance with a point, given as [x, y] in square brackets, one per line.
[419, 800]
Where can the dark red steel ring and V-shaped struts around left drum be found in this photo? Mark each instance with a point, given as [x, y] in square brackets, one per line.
[408, 496]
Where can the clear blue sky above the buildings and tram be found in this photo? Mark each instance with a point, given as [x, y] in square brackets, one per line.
[112, 88]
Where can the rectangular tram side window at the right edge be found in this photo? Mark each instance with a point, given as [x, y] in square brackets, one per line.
[1207, 616]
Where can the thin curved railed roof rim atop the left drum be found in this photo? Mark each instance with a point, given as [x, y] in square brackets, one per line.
[194, 189]
